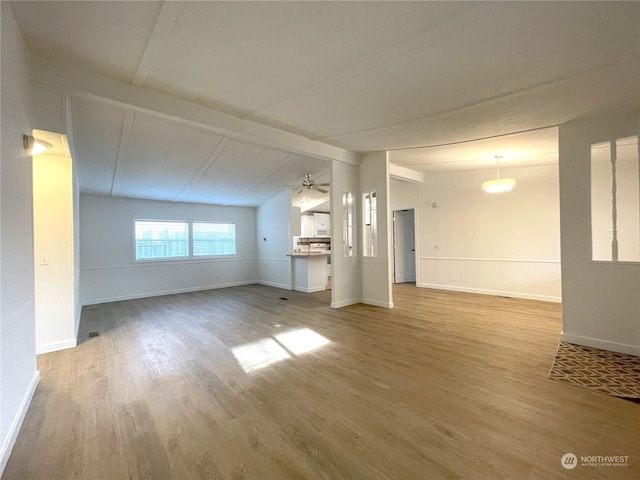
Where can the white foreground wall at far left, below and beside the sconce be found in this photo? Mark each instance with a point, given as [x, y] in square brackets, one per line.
[18, 375]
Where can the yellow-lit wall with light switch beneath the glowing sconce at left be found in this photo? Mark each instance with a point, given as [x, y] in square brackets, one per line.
[54, 238]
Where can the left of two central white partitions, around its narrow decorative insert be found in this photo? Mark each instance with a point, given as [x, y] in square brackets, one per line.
[346, 272]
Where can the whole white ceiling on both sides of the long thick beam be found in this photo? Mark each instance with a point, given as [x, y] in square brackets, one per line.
[454, 77]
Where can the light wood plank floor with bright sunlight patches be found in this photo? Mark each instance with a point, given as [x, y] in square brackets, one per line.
[446, 385]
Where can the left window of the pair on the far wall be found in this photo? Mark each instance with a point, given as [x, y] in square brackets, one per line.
[157, 240]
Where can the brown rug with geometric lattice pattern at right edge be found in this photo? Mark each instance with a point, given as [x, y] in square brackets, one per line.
[603, 371]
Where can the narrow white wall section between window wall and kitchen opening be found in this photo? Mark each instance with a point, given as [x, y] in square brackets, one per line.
[274, 241]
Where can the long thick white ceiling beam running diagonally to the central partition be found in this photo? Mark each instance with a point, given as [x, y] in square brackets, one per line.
[96, 87]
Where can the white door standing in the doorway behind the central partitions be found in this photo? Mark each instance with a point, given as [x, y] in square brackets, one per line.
[404, 246]
